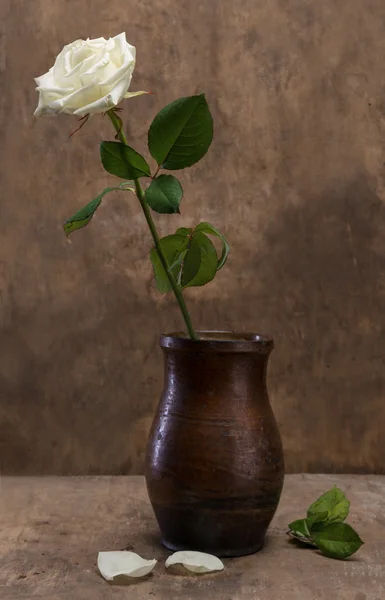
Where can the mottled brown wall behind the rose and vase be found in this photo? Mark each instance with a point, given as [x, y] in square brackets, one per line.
[295, 179]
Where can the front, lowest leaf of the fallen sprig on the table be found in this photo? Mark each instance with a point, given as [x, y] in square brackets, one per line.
[337, 540]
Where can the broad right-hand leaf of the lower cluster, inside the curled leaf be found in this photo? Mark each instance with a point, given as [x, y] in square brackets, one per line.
[201, 260]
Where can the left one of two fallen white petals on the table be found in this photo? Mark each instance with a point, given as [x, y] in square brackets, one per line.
[112, 564]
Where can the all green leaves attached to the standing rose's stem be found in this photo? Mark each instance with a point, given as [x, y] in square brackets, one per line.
[178, 137]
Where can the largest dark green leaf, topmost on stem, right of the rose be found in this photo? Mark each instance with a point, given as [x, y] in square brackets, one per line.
[181, 133]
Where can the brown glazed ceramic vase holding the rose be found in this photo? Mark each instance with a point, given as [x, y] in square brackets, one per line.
[214, 464]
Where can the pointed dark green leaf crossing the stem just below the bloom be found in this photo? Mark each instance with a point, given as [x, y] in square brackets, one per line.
[123, 161]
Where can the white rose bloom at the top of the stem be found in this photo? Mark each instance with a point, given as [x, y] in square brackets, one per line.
[88, 77]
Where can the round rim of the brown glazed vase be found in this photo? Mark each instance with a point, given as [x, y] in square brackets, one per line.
[222, 341]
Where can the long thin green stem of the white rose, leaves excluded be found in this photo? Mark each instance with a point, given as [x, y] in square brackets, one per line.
[150, 222]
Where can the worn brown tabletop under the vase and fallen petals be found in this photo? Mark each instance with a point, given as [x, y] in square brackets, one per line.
[52, 528]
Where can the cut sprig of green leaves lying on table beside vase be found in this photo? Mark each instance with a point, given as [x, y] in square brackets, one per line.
[324, 526]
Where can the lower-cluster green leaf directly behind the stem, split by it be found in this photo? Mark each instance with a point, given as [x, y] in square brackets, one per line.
[174, 247]
